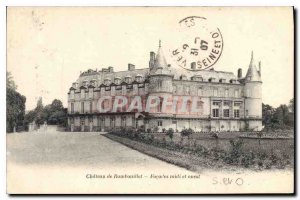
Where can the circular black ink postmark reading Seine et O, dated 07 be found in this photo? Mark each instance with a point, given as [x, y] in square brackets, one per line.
[200, 44]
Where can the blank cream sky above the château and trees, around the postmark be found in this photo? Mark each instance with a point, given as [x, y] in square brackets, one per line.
[48, 47]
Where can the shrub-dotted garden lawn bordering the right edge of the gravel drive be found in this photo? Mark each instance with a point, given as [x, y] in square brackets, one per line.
[211, 152]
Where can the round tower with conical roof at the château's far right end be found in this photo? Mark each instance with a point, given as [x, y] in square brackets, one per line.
[253, 97]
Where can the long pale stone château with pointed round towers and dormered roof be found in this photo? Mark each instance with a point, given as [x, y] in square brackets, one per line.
[225, 102]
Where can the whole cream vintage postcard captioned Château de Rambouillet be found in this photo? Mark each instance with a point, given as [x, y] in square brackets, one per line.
[150, 100]
